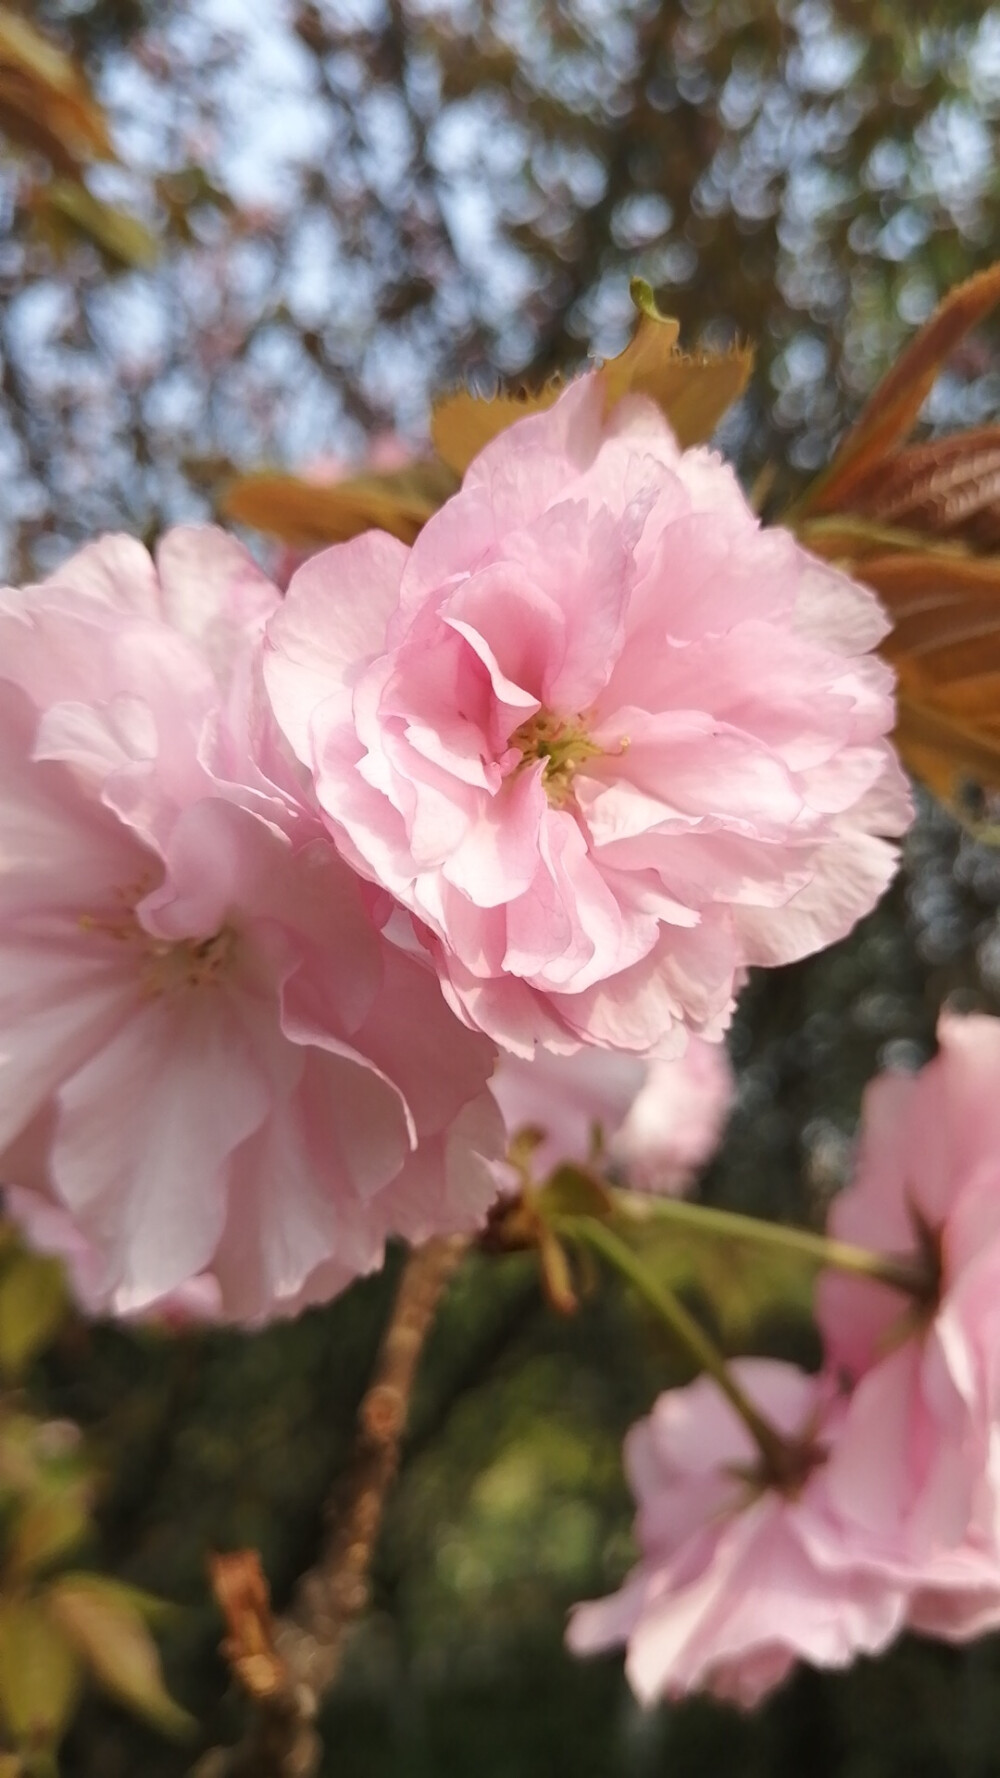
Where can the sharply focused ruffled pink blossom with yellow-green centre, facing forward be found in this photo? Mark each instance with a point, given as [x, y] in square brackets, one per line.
[604, 735]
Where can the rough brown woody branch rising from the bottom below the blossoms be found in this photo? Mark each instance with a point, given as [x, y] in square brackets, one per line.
[289, 1665]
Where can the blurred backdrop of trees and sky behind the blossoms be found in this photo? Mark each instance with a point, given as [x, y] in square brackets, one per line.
[319, 216]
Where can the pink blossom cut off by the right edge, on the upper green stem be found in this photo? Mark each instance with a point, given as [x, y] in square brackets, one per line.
[919, 1464]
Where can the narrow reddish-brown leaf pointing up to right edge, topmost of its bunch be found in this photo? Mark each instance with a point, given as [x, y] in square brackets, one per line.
[899, 397]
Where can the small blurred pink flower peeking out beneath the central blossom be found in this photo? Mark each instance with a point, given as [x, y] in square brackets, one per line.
[659, 1123]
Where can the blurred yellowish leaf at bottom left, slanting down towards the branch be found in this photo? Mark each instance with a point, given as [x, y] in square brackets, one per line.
[104, 1626]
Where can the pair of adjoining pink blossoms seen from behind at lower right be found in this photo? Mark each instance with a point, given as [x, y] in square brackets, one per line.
[883, 1509]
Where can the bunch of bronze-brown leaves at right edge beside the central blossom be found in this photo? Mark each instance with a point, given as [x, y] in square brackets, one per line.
[921, 525]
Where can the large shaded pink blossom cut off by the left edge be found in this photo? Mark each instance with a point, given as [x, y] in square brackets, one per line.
[211, 1059]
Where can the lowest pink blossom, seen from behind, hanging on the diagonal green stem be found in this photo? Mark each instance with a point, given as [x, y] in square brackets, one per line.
[738, 1580]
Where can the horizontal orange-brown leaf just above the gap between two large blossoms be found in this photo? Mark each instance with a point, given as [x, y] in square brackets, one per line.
[312, 515]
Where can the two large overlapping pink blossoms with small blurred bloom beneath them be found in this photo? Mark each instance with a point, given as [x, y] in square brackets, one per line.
[280, 874]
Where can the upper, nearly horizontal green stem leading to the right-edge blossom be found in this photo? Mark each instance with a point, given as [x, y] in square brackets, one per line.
[898, 1270]
